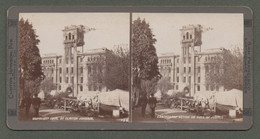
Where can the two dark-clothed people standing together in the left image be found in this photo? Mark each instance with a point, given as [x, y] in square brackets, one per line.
[35, 102]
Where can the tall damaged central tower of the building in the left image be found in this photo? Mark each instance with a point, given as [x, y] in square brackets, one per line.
[73, 37]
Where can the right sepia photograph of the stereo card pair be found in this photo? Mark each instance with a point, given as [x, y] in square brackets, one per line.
[187, 67]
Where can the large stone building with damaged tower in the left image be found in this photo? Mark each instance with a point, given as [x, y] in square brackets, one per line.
[74, 71]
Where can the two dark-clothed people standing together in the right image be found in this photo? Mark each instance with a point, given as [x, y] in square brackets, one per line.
[151, 101]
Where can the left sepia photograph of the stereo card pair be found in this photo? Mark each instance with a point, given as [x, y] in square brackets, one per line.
[74, 67]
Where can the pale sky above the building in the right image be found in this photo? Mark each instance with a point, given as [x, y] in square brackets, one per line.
[227, 29]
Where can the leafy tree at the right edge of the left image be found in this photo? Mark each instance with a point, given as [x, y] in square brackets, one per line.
[116, 69]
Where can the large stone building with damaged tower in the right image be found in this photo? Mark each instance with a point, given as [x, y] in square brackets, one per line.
[188, 71]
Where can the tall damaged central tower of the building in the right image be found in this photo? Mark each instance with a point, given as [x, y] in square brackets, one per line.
[190, 44]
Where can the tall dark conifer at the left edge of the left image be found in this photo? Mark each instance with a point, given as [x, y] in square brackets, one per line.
[30, 71]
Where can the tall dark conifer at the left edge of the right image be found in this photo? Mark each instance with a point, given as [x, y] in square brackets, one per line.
[145, 60]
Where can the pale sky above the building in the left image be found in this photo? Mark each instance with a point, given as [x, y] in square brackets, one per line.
[112, 29]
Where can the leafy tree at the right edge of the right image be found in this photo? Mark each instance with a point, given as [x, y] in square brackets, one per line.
[227, 69]
